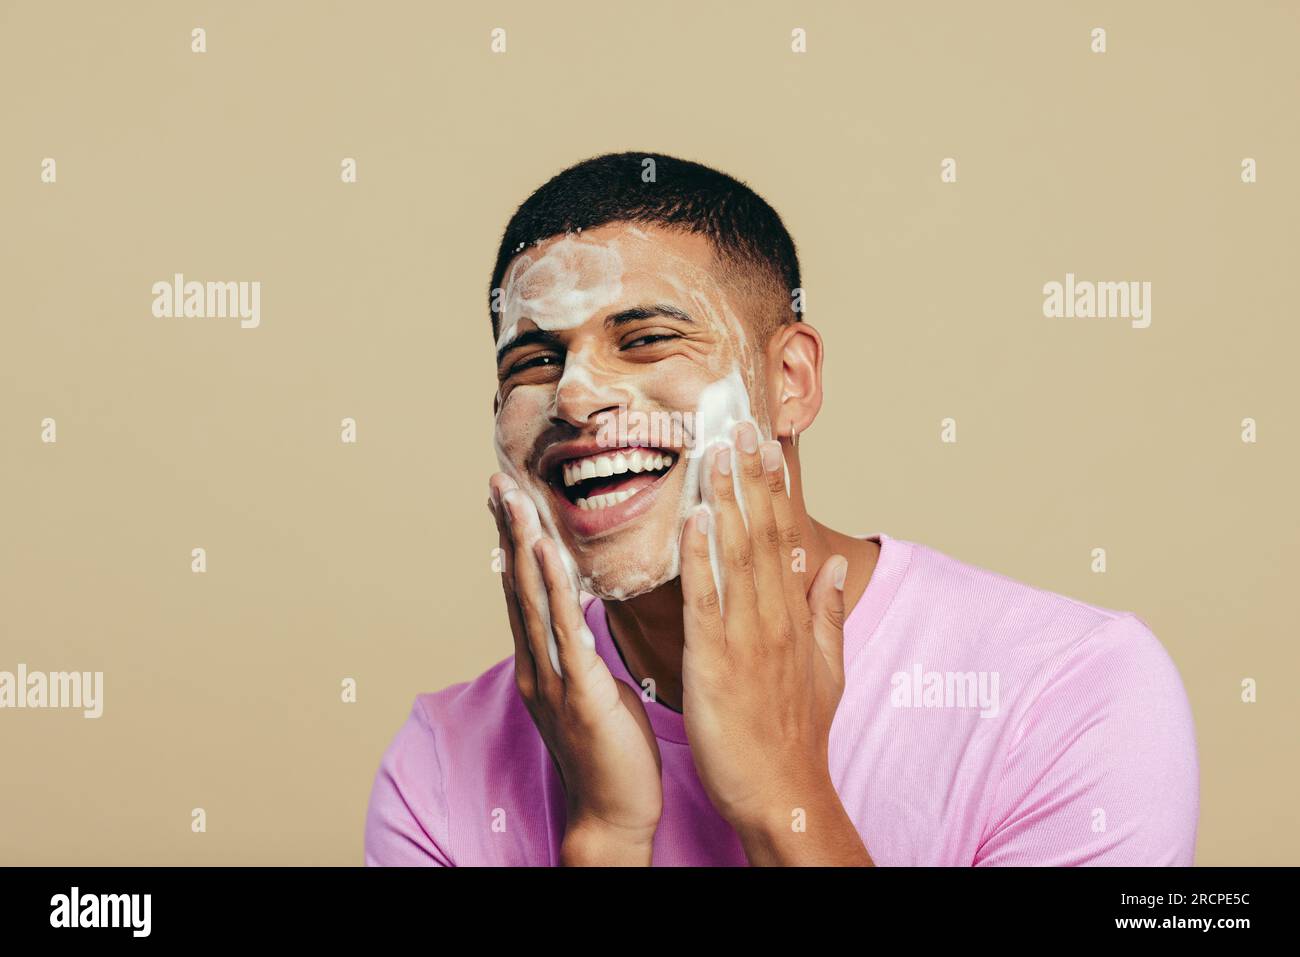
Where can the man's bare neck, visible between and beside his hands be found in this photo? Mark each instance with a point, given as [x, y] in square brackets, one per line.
[649, 631]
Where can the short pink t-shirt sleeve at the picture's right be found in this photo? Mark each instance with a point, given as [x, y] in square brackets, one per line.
[1102, 768]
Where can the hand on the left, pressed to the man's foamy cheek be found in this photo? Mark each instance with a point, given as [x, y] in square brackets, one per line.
[593, 725]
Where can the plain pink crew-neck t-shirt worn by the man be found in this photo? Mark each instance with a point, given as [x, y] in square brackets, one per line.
[983, 722]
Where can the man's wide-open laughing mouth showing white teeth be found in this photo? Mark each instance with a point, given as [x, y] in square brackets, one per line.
[604, 490]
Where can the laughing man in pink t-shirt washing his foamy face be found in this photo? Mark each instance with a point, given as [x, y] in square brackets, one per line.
[748, 686]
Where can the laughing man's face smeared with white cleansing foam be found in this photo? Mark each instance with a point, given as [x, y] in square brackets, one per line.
[622, 360]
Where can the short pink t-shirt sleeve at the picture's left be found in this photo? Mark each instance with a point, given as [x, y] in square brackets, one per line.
[406, 824]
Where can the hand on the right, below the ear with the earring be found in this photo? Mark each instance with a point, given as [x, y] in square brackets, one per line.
[764, 664]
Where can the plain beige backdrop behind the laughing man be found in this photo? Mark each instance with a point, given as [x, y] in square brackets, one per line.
[372, 561]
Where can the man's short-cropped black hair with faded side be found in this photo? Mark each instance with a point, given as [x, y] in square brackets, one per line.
[747, 235]
